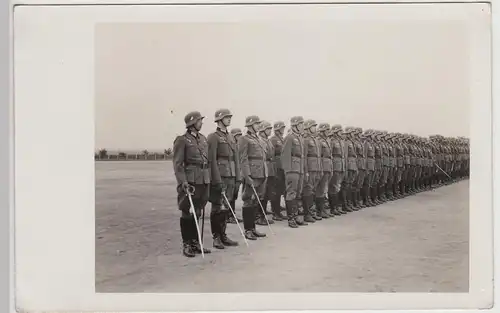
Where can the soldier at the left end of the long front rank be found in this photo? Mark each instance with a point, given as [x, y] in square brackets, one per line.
[293, 162]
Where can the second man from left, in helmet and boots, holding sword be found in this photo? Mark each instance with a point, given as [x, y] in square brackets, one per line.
[224, 171]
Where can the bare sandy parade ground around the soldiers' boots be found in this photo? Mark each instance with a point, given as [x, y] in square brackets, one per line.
[416, 244]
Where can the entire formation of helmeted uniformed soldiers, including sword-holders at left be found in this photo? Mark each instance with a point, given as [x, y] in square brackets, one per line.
[322, 171]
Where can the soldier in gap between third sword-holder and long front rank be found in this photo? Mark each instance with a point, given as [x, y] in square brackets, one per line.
[279, 181]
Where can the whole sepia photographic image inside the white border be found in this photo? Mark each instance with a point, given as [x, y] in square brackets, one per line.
[282, 157]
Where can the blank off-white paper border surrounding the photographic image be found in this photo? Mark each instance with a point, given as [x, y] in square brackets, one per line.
[55, 261]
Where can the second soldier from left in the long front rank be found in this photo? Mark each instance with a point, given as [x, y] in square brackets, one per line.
[313, 169]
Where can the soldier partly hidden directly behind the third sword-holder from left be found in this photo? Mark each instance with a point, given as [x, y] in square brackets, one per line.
[264, 133]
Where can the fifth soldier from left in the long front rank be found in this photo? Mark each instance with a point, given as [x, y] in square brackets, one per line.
[352, 169]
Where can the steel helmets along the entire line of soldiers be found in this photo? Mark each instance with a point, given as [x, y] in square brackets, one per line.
[300, 124]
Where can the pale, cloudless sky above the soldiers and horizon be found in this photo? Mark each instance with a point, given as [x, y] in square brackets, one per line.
[402, 76]
